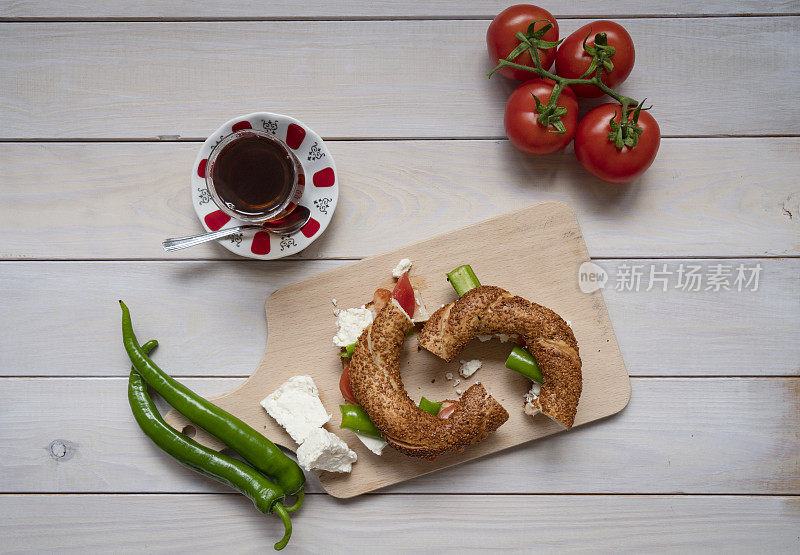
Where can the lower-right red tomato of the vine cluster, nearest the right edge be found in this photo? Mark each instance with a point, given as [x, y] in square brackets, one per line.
[602, 158]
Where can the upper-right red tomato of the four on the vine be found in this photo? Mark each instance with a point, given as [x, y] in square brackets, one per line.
[572, 60]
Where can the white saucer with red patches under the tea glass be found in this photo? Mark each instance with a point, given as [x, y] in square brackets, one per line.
[320, 195]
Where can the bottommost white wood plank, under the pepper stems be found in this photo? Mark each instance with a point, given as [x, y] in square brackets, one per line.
[637, 524]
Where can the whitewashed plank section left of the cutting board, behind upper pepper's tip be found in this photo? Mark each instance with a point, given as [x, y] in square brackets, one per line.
[72, 309]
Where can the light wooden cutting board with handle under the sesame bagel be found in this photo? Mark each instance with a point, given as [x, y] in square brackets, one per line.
[534, 252]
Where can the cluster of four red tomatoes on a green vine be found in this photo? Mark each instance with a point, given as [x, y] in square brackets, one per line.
[598, 145]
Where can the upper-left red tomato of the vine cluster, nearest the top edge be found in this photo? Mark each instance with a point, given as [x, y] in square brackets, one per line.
[501, 39]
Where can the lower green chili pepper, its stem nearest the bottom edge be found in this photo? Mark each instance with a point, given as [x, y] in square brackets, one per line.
[265, 494]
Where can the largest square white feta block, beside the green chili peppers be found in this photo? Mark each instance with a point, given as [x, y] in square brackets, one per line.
[296, 406]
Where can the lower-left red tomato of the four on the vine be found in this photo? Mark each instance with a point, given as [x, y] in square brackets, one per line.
[525, 132]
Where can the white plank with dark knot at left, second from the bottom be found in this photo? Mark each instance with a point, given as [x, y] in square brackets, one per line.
[678, 435]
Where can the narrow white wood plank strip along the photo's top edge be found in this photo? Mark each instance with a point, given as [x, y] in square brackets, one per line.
[341, 9]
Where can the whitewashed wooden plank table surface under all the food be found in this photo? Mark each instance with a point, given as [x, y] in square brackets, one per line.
[103, 106]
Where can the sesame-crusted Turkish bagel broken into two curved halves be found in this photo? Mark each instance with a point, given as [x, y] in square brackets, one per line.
[377, 385]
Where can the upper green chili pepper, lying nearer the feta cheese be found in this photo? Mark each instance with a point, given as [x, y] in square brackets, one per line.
[256, 449]
